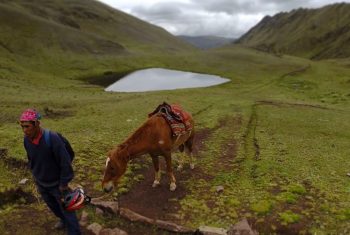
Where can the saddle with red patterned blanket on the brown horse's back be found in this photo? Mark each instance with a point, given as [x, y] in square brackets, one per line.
[177, 118]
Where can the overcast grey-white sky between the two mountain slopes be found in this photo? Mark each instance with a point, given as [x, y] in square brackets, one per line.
[226, 18]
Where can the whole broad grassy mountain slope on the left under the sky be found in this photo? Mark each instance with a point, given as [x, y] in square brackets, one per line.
[83, 26]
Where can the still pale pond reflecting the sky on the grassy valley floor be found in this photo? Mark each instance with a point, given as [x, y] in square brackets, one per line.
[157, 79]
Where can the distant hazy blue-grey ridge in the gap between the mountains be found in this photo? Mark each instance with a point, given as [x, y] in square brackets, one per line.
[206, 42]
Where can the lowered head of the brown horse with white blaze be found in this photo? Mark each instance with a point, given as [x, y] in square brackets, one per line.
[115, 168]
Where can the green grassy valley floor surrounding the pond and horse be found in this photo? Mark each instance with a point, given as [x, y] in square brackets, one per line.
[290, 132]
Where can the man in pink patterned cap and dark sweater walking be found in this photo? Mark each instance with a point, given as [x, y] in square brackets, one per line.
[51, 168]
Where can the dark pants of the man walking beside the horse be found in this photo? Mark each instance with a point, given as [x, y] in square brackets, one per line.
[52, 197]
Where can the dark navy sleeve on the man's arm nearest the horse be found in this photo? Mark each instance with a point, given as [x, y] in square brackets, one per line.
[63, 159]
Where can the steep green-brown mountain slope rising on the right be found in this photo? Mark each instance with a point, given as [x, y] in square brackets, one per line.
[313, 33]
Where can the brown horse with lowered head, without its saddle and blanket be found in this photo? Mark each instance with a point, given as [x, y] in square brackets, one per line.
[155, 138]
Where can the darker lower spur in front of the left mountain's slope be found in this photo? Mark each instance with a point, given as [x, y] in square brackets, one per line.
[27, 34]
